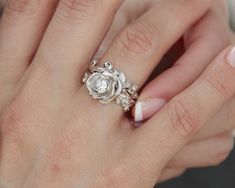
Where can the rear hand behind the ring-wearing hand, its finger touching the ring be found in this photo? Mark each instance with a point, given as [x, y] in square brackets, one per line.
[213, 144]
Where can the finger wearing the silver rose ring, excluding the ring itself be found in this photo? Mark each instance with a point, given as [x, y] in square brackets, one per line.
[138, 48]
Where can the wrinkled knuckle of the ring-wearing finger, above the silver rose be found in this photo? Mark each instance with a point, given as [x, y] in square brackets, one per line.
[137, 38]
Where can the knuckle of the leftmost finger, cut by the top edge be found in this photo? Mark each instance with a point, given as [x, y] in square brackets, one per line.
[16, 7]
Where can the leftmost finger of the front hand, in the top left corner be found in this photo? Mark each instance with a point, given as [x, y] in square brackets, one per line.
[21, 28]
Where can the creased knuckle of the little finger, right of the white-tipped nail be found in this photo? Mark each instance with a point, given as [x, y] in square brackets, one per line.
[182, 120]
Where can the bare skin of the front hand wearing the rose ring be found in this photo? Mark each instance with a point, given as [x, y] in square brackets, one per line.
[46, 114]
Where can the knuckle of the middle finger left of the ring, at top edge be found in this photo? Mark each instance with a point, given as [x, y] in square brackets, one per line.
[74, 9]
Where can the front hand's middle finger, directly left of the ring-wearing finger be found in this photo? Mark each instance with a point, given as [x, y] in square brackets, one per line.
[72, 38]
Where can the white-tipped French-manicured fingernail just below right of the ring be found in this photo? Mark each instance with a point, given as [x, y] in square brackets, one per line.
[147, 108]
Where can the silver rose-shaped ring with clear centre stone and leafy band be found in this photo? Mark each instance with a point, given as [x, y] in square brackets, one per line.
[106, 85]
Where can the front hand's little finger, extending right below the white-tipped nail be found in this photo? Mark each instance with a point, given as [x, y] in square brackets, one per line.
[168, 131]
